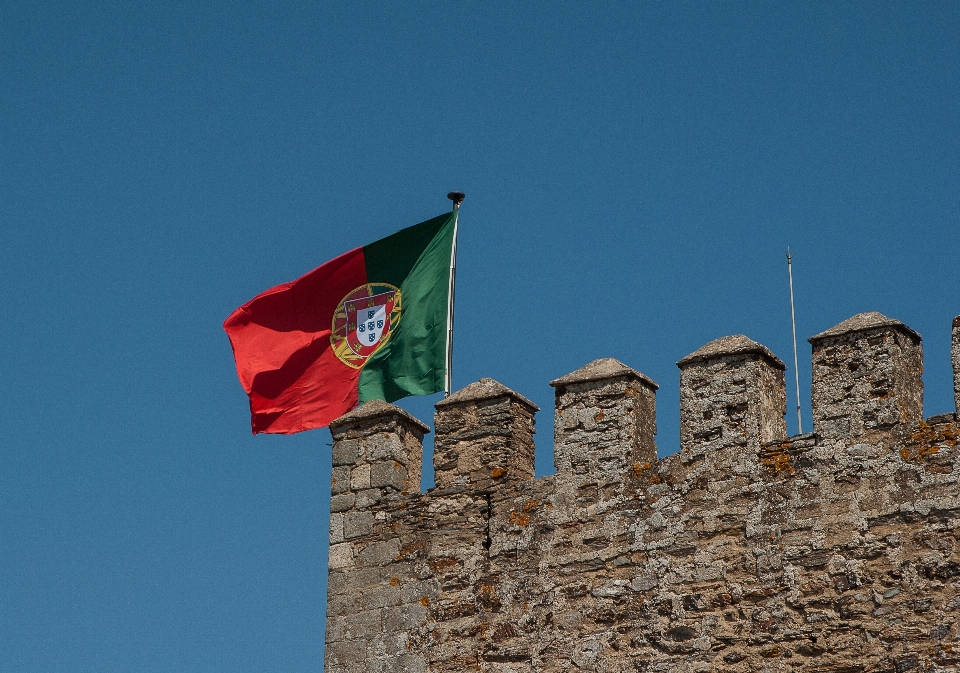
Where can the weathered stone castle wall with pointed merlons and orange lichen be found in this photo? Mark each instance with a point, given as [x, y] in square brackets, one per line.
[748, 550]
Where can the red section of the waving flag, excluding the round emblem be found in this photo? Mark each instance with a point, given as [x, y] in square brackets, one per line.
[281, 343]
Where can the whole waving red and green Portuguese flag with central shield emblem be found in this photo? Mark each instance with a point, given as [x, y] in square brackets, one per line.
[370, 324]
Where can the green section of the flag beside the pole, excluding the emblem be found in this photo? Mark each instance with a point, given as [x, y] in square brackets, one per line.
[413, 361]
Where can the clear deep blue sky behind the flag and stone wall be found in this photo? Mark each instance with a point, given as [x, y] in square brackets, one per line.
[634, 173]
